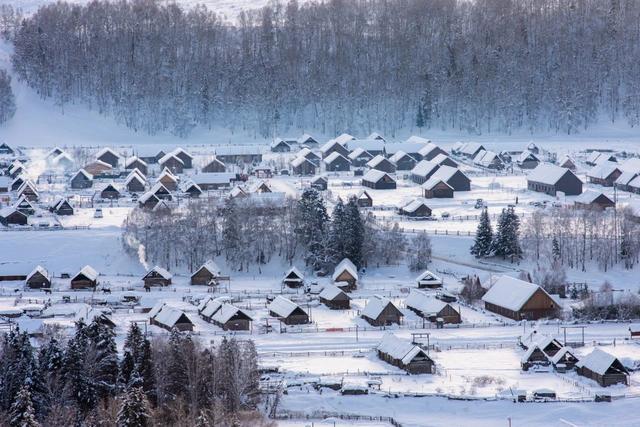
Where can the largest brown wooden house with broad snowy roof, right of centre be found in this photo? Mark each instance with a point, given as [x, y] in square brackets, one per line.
[519, 300]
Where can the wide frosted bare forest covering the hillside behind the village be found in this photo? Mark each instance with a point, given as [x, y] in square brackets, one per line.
[362, 65]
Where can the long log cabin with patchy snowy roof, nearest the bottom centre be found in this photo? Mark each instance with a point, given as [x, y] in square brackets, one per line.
[404, 355]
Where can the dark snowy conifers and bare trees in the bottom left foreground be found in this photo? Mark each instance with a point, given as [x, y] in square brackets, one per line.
[83, 381]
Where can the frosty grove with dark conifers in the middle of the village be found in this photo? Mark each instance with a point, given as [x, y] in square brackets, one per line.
[249, 233]
